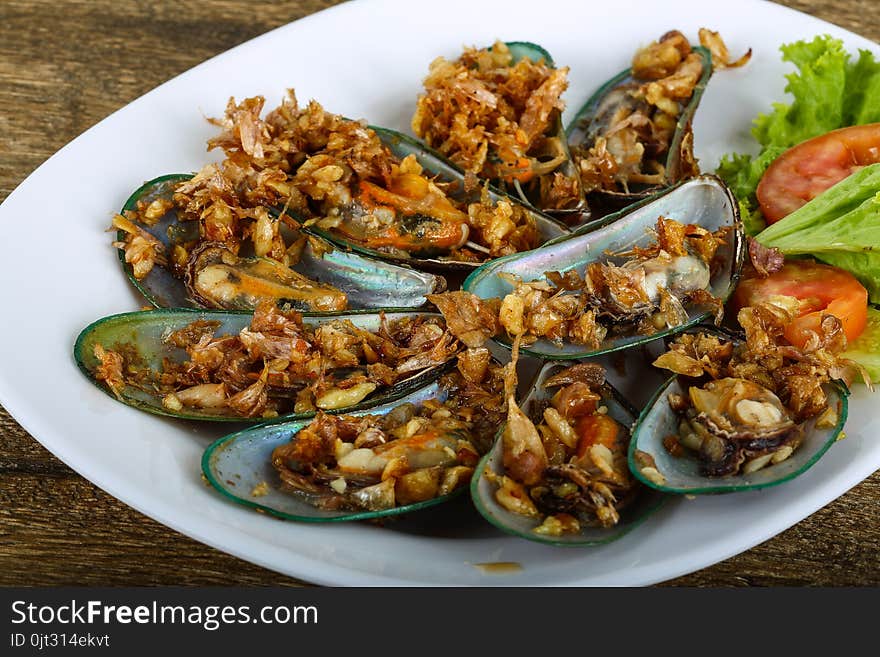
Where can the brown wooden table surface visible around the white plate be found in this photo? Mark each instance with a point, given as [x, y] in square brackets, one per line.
[66, 65]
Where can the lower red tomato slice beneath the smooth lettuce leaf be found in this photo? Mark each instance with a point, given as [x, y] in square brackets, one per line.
[822, 289]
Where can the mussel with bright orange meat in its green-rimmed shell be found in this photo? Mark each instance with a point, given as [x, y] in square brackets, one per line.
[418, 223]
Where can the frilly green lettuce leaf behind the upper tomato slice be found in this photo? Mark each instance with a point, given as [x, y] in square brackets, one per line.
[829, 90]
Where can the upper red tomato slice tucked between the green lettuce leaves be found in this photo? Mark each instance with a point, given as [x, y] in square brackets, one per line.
[804, 171]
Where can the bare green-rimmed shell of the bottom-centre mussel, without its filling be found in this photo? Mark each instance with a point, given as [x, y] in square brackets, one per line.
[645, 501]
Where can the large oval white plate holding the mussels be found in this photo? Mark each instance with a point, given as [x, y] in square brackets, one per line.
[364, 59]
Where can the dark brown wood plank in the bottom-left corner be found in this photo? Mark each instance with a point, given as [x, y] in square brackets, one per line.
[59, 529]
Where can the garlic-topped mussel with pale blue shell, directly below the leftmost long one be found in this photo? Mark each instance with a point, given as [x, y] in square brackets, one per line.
[395, 458]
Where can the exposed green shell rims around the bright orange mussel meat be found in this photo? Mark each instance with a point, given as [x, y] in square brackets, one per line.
[441, 170]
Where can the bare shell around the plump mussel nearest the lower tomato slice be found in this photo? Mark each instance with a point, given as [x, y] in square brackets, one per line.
[682, 474]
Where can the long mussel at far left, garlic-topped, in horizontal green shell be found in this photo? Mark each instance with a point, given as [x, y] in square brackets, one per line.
[263, 366]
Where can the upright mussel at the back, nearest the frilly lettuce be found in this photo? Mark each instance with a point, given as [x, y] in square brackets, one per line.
[631, 139]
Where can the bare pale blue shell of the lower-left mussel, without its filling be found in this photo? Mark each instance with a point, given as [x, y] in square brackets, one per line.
[240, 467]
